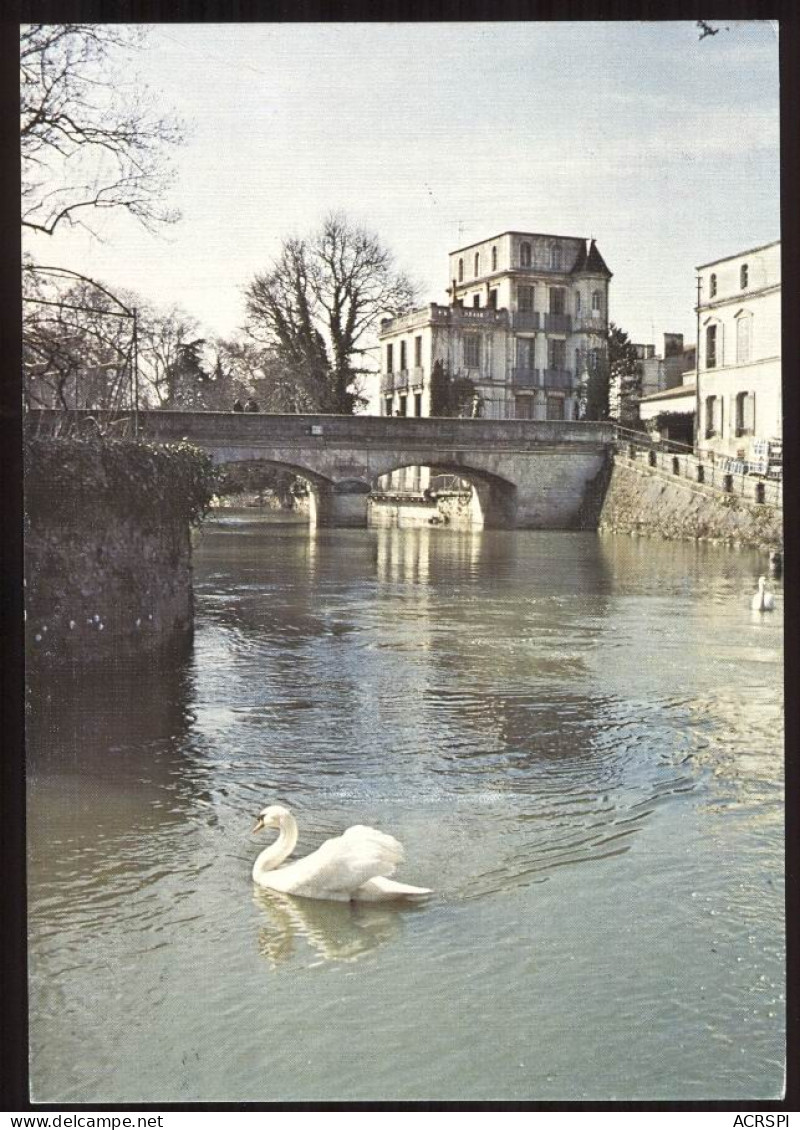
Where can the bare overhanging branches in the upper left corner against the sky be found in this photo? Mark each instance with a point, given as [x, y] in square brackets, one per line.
[85, 142]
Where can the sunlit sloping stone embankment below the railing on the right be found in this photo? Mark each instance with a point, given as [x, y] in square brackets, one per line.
[646, 501]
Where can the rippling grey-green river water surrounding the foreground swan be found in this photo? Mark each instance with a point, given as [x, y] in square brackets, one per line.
[577, 737]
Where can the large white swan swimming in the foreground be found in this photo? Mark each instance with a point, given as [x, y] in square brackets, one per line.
[351, 867]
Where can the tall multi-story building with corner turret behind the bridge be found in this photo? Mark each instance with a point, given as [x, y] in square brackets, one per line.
[527, 323]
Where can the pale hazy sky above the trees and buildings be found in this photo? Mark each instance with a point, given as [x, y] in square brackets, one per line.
[662, 146]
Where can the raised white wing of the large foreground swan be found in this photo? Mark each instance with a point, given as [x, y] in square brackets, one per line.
[342, 865]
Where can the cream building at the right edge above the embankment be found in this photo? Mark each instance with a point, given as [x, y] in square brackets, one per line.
[740, 375]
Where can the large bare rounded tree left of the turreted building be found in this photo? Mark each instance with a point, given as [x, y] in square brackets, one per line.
[318, 306]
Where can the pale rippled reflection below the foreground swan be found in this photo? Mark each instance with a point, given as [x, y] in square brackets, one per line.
[336, 932]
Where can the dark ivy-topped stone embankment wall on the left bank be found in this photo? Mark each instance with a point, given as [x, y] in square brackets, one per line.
[108, 549]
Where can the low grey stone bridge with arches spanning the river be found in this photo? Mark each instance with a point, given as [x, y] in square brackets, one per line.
[525, 474]
